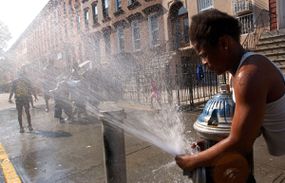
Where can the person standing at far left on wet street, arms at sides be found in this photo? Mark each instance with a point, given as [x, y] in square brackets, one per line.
[22, 89]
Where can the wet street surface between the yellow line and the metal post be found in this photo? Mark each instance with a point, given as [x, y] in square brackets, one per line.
[53, 151]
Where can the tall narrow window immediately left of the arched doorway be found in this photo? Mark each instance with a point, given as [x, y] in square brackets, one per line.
[153, 30]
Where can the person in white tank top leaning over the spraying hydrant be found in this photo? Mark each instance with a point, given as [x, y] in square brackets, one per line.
[258, 91]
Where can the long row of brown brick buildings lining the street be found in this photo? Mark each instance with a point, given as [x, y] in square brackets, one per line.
[149, 37]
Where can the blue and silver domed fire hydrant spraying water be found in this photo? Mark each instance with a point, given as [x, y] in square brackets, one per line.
[213, 125]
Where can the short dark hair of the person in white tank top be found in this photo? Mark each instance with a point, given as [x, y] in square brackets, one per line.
[208, 26]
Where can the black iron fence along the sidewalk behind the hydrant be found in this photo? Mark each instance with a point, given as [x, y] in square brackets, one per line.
[182, 89]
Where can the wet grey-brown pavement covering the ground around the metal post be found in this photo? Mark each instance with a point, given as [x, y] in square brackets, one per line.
[73, 151]
